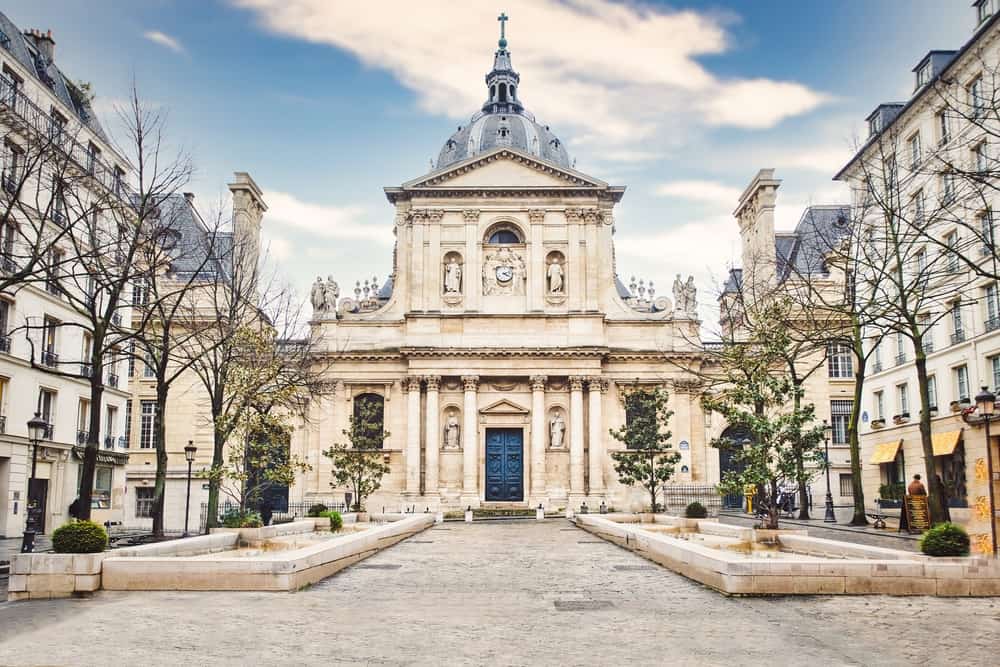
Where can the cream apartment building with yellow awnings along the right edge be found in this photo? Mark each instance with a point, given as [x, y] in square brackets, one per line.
[915, 167]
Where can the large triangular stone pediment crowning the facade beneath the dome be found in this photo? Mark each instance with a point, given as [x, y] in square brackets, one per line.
[505, 168]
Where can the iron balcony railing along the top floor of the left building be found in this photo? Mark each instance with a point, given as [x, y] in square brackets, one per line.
[41, 122]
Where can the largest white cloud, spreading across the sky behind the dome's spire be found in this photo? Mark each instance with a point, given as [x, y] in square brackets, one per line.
[617, 75]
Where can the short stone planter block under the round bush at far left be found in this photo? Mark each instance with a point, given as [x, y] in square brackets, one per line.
[54, 575]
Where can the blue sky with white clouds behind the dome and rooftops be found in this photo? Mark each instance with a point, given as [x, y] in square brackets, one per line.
[324, 103]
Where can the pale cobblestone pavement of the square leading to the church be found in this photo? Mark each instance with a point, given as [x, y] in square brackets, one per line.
[503, 593]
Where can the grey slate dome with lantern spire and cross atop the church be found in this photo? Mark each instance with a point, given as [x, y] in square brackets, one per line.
[503, 121]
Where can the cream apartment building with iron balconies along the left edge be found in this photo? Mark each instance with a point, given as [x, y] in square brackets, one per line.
[49, 132]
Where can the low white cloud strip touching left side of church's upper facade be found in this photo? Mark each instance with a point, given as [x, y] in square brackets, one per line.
[334, 222]
